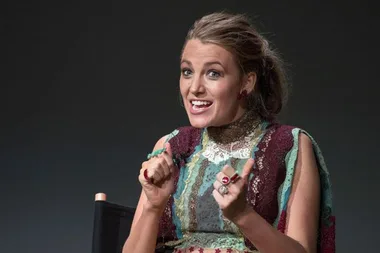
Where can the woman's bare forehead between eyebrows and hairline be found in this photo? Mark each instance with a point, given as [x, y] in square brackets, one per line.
[198, 52]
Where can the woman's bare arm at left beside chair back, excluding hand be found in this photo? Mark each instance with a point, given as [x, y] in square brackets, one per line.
[144, 229]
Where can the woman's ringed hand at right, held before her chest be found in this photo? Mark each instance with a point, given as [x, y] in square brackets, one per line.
[233, 202]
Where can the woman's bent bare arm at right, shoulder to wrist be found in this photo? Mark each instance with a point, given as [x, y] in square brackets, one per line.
[303, 211]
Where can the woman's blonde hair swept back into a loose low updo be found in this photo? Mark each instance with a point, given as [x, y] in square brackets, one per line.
[235, 33]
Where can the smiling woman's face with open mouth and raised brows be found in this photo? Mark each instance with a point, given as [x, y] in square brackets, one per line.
[210, 84]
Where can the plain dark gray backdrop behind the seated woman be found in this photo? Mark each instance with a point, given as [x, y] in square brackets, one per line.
[88, 88]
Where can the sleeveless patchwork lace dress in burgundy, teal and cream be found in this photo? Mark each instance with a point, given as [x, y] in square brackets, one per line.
[192, 219]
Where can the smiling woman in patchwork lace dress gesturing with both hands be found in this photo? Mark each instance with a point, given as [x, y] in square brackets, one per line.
[235, 180]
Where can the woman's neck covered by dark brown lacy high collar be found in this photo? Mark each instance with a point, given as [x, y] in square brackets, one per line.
[235, 130]
